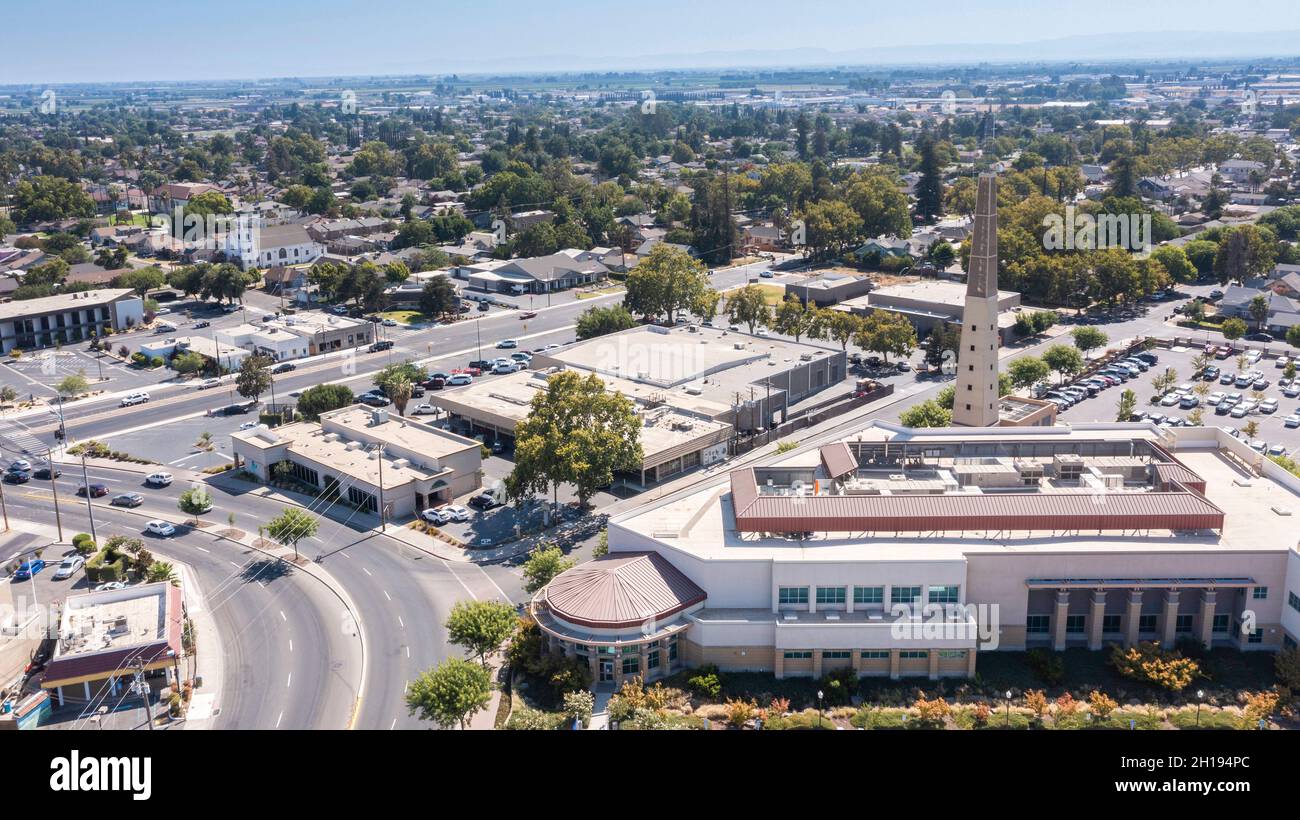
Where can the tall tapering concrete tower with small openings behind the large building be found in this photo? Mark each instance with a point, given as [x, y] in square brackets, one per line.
[977, 401]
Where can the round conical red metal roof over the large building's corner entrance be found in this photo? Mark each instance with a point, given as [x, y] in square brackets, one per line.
[625, 589]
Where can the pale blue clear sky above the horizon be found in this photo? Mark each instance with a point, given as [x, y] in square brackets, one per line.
[51, 42]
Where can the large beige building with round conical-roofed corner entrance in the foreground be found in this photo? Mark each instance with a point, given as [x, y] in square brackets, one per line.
[905, 553]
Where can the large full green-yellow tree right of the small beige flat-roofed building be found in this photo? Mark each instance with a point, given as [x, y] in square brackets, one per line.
[577, 432]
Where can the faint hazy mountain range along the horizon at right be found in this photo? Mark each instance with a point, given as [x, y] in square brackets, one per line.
[1184, 46]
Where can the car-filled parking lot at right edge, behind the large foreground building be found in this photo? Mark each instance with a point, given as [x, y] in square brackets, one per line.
[1271, 427]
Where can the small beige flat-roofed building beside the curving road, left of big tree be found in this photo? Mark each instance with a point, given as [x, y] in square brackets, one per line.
[366, 458]
